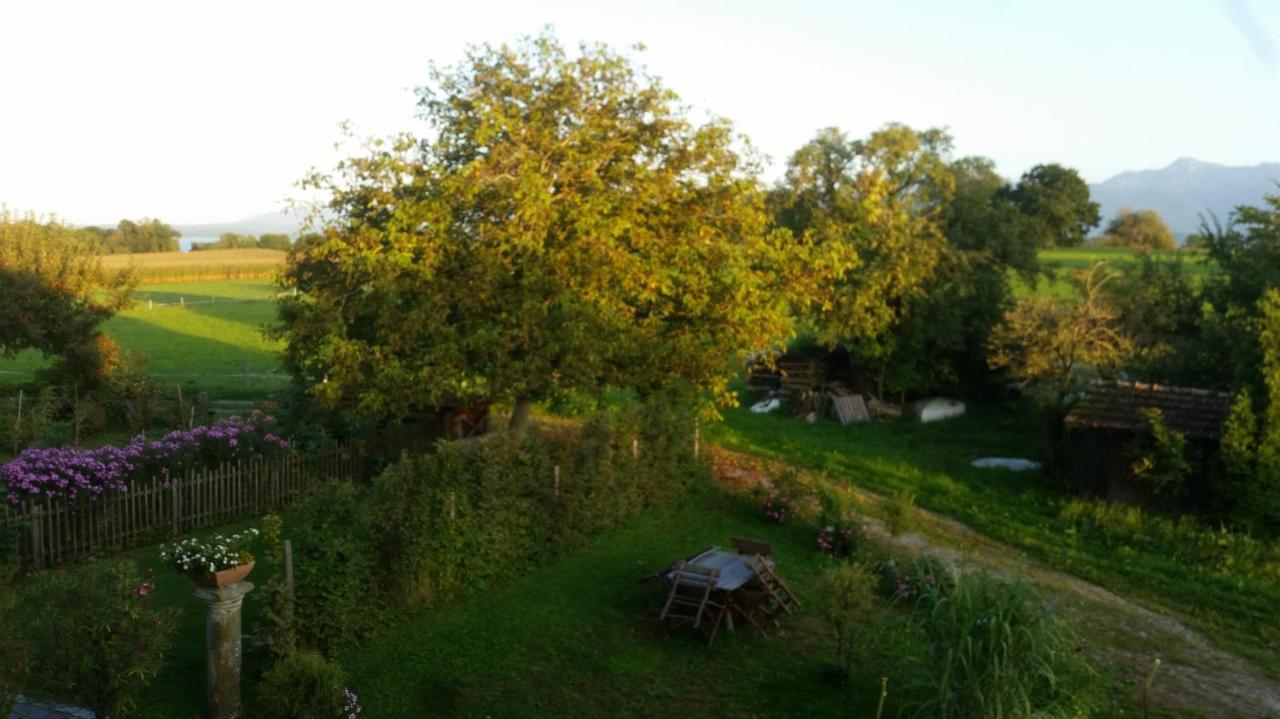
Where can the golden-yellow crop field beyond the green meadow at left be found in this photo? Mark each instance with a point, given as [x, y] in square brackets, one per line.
[207, 265]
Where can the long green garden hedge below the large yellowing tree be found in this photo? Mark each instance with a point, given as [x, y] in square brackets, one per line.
[473, 514]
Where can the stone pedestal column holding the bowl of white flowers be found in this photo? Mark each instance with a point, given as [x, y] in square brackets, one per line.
[223, 648]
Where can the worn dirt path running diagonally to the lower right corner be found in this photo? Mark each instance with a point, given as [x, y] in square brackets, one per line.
[1196, 677]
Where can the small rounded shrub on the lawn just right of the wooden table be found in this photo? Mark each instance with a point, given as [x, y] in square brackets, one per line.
[847, 602]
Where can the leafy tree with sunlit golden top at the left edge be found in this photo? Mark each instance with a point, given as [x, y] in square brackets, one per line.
[56, 296]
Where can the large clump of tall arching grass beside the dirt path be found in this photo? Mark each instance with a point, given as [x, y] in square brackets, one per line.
[993, 651]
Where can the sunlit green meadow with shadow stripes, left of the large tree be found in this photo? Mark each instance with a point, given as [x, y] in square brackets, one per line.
[199, 335]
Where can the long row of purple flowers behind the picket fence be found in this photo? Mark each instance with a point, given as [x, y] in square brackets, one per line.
[89, 474]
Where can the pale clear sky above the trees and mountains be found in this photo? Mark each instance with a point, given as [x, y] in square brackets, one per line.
[212, 112]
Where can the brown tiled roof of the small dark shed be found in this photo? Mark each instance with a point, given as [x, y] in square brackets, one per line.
[1118, 406]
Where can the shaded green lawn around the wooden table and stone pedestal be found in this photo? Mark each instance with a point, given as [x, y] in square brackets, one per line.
[572, 639]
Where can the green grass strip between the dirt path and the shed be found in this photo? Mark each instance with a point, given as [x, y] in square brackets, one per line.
[1017, 509]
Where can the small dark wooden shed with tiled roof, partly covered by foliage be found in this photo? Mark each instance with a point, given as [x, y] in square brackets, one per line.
[1101, 427]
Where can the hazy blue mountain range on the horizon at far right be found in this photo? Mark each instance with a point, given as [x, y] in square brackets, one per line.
[1186, 190]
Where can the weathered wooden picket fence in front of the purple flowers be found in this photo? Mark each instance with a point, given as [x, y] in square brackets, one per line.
[52, 532]
